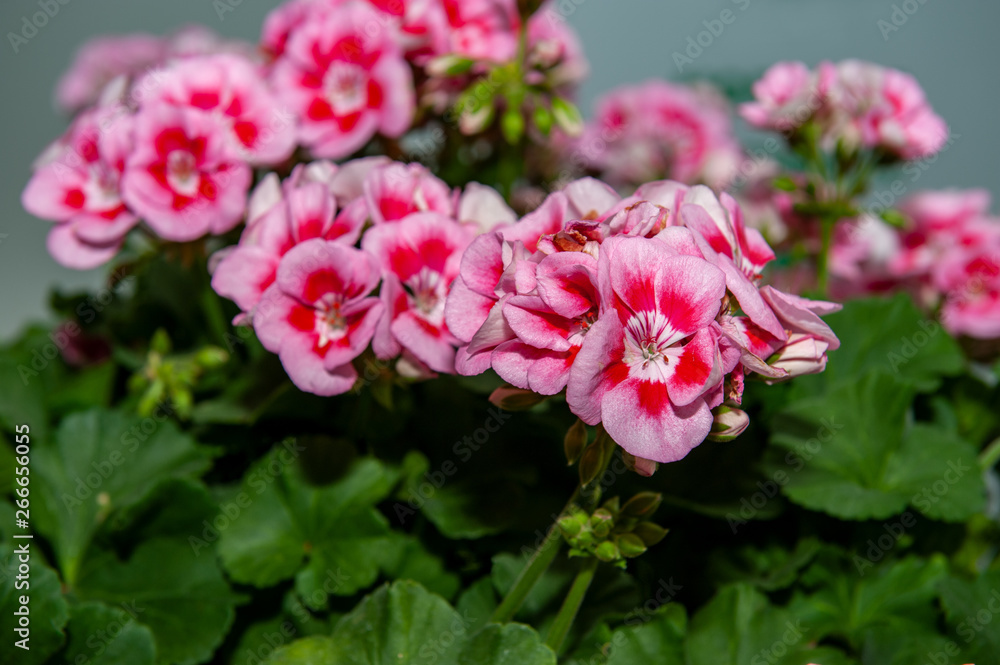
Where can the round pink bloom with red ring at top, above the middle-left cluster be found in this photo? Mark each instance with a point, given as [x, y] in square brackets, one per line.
[346, 81]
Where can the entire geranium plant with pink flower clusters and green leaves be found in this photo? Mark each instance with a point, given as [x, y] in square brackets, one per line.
[401, 361]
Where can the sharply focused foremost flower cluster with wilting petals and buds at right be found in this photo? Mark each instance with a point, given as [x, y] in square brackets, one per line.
[646, 310]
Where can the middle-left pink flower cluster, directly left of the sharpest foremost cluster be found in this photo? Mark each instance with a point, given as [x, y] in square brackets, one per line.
[310, 291]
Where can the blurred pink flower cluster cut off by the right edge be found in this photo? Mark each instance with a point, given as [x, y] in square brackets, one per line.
[947, 255]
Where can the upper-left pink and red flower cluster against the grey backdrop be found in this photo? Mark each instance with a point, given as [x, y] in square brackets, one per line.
[173, 145]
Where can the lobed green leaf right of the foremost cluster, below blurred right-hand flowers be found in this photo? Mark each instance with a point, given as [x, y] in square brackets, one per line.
[887, 334]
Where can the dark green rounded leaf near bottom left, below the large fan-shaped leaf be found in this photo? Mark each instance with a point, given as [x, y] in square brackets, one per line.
[181, 596]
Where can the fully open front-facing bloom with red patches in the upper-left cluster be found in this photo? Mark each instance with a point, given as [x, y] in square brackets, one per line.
[183, 177]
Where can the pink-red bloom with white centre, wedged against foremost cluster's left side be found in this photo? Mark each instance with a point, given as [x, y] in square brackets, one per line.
[420, 258]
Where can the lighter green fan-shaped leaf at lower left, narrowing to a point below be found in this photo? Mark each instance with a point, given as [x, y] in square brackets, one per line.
[101, 461]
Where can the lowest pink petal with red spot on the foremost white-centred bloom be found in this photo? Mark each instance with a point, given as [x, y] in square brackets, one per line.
[640, 418]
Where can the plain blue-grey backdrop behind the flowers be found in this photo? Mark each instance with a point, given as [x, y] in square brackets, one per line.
[951, 46]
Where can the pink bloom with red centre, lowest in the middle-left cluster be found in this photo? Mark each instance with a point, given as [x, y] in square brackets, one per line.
[318, 316]
